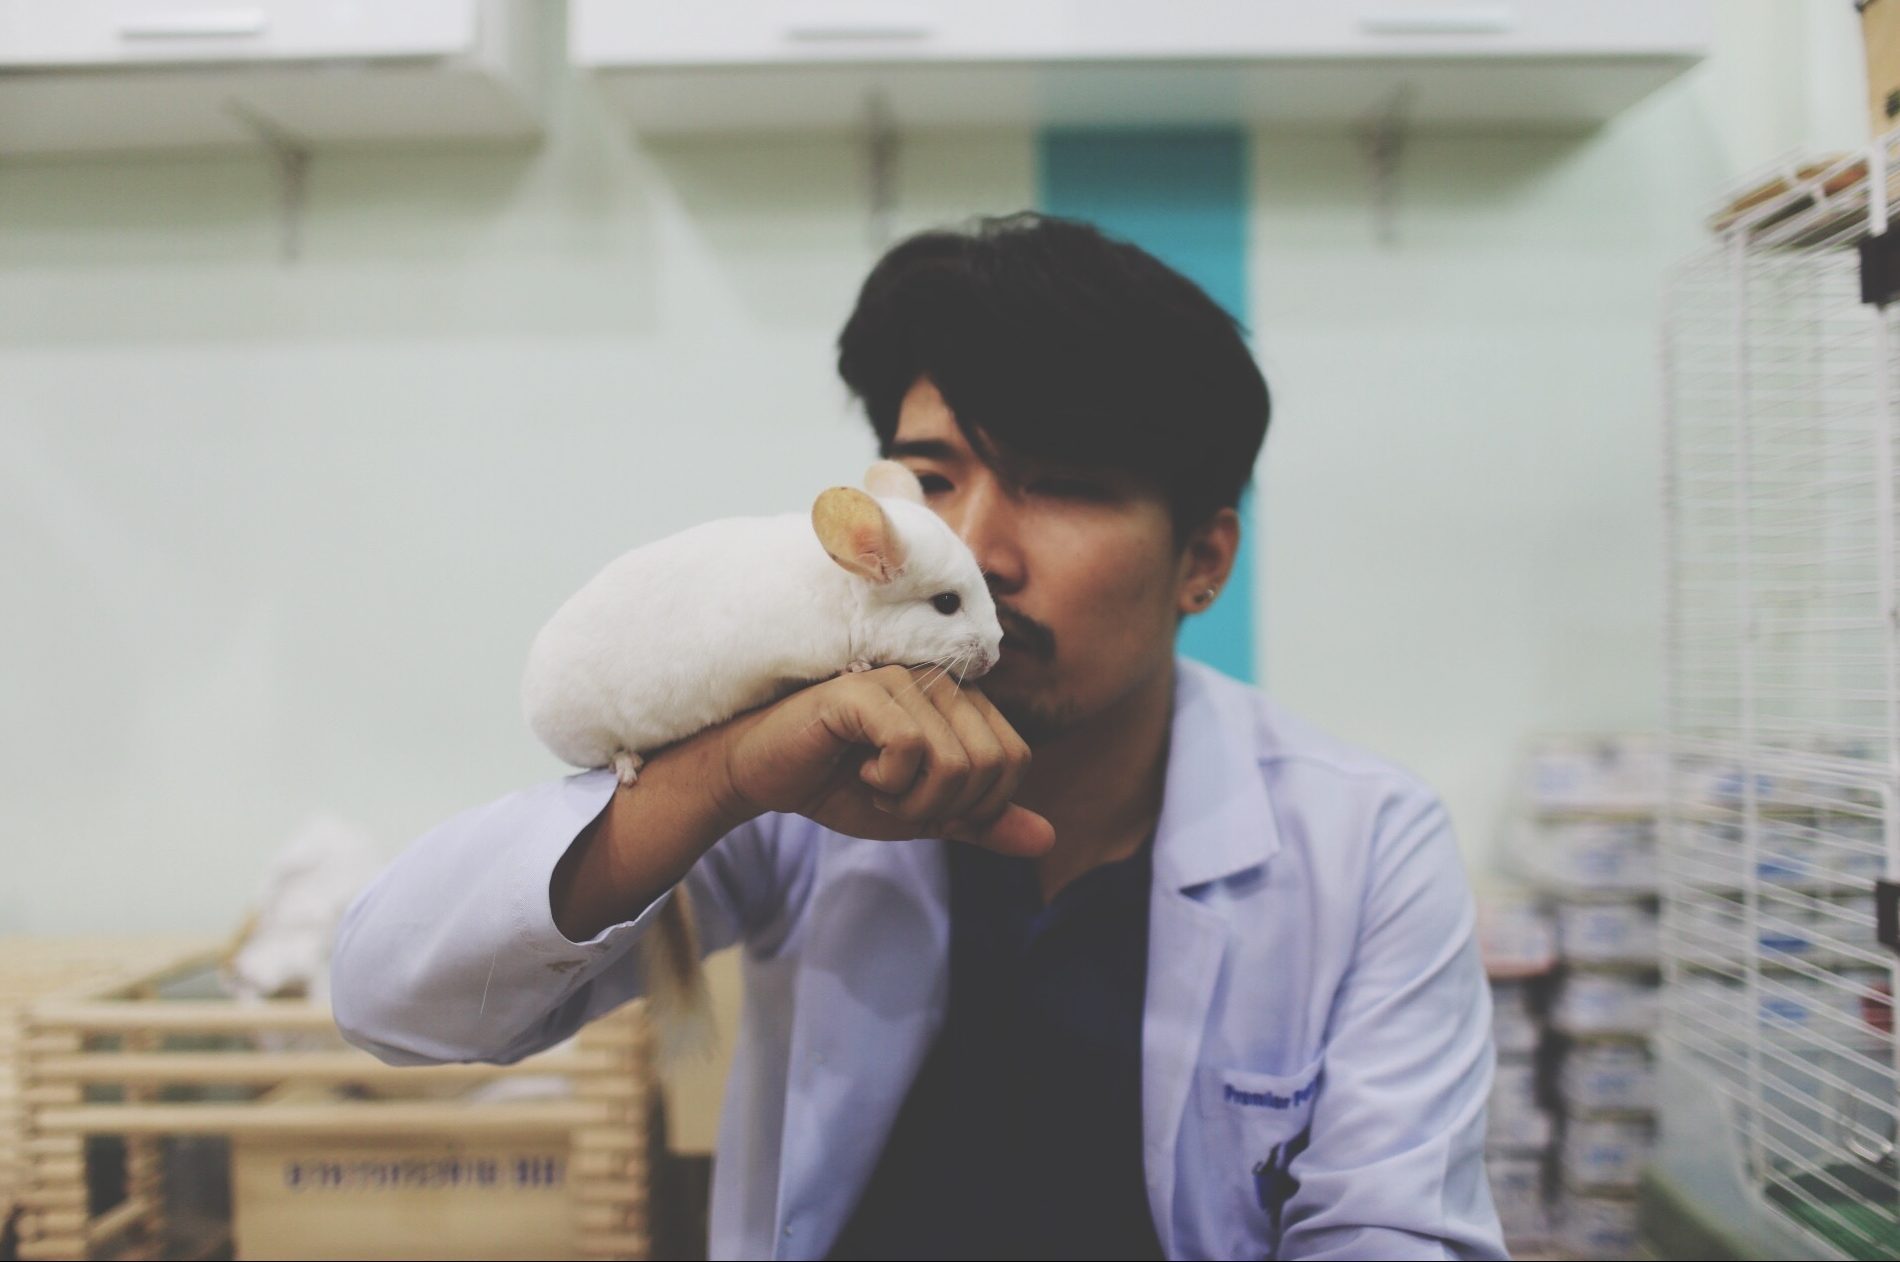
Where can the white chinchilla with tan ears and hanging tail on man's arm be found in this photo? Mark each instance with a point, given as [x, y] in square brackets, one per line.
[721, 619]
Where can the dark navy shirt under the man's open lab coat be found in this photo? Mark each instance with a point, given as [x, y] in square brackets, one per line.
[1023, 1132]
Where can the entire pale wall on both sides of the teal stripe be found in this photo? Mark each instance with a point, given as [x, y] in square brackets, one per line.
[276, 537]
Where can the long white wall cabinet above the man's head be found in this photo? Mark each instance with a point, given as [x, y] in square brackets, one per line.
[812, 66]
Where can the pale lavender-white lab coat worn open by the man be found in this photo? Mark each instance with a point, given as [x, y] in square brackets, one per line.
[1312, 965]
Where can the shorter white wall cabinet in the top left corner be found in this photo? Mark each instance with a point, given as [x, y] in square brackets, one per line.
[86, 77]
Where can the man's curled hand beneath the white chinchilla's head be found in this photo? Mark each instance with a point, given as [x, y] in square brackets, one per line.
[892, 754]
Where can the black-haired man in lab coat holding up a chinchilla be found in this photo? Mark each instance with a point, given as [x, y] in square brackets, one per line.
[1103, 955]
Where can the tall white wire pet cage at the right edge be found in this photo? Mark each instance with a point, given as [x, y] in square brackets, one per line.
[1783, 697]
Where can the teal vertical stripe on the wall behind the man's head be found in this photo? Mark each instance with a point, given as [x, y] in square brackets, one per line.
[1181, 195]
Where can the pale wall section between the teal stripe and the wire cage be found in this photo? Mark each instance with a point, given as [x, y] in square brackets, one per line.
[1462, 484]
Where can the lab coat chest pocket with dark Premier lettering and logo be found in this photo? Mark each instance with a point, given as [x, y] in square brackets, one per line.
[1255, 1126]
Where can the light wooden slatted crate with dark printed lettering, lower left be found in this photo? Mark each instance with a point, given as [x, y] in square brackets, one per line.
[326, 1139]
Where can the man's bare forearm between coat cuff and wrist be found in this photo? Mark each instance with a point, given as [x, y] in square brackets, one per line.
[647, 839]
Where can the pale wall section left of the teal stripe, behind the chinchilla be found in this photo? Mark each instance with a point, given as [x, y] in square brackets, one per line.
[276, 537]
